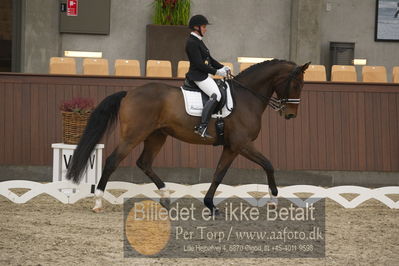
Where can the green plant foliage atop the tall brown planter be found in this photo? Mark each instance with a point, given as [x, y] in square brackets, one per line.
[171, 12]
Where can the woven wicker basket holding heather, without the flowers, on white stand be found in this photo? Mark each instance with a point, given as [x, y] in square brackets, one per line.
[73, 125]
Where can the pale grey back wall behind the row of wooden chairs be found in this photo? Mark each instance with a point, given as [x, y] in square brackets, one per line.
[260, 28]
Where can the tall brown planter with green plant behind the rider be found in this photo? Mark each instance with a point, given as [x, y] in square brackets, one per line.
[166, 37]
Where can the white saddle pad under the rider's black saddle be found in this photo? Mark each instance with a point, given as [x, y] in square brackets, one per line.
[194, 105]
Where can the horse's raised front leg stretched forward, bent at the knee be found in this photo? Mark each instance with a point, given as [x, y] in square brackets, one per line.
[250, 152]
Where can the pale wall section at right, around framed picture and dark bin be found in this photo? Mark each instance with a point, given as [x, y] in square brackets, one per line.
[354, 21]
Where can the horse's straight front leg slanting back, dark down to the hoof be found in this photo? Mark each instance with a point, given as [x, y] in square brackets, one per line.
[224, 163]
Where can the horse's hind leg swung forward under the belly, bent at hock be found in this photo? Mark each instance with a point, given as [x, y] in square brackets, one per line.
[152, 146]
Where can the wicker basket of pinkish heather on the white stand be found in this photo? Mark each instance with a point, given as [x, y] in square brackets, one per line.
[75, 114]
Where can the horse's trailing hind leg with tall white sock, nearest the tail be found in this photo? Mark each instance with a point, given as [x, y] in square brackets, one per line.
[111, 164]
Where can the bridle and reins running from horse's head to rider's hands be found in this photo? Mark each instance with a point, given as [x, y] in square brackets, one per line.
[275, 103]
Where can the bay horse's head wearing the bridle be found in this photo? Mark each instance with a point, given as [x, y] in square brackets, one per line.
[288, 87]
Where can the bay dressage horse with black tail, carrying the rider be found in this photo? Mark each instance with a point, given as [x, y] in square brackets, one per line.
[154, 111]
